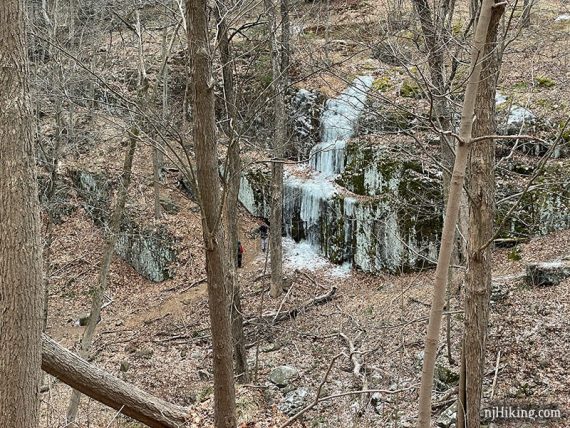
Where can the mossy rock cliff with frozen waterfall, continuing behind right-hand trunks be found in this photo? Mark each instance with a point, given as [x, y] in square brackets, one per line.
[379, 206]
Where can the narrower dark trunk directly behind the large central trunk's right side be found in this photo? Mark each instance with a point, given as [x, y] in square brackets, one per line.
[232, 175]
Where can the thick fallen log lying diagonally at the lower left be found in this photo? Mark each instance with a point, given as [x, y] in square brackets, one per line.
[109, 390]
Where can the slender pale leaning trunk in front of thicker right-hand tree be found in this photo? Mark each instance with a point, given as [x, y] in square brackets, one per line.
[452, 211]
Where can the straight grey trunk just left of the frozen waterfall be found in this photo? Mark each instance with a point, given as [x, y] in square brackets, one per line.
[276, 215]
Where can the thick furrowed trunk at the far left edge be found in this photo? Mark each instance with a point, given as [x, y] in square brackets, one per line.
[20, 247]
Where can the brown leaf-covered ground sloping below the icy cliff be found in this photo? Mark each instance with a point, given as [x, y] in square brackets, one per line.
[160, 334]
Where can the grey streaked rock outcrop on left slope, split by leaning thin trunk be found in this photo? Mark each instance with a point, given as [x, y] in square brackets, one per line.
[149, 251]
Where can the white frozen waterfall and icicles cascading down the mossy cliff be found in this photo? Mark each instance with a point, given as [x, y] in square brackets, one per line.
[322, 205]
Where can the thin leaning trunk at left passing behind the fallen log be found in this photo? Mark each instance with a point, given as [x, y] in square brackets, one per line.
[99, 290]
